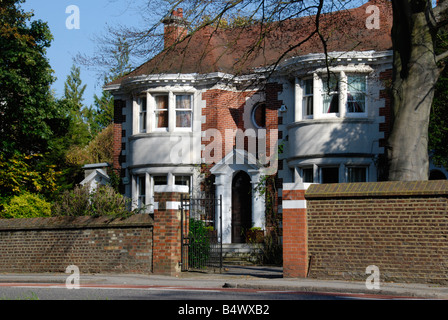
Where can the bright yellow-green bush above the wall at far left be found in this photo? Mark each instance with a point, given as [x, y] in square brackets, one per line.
[26, 205]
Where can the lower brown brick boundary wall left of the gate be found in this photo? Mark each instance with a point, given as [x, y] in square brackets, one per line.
[95, 245]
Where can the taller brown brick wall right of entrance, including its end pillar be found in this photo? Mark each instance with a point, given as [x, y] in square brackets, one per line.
[400, 227]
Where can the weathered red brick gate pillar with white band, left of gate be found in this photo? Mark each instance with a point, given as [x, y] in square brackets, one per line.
[167, 234]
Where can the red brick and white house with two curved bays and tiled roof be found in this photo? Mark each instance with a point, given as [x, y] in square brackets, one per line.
[207, 116]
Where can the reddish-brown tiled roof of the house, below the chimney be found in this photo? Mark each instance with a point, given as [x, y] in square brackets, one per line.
[232, 50]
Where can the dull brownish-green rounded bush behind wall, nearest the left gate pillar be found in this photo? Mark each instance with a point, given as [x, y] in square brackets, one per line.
[105, 201]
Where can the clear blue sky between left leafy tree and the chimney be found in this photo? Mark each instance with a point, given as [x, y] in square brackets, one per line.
[95, 15]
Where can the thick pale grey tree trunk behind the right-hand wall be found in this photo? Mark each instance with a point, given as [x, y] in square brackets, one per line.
[417, 68]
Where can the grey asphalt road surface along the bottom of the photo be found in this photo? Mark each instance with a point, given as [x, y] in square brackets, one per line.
[157, 293]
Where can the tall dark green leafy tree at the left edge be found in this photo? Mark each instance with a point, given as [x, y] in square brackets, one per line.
[28, 113]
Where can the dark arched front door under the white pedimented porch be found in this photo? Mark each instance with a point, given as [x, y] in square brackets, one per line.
[241, 206]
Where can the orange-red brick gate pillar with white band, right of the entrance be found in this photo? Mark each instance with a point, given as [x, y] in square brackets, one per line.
[295, 231]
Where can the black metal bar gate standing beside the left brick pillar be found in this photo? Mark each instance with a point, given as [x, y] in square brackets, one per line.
[201, 224]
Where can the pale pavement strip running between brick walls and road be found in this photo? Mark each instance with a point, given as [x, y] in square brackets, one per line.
[241, 277]
